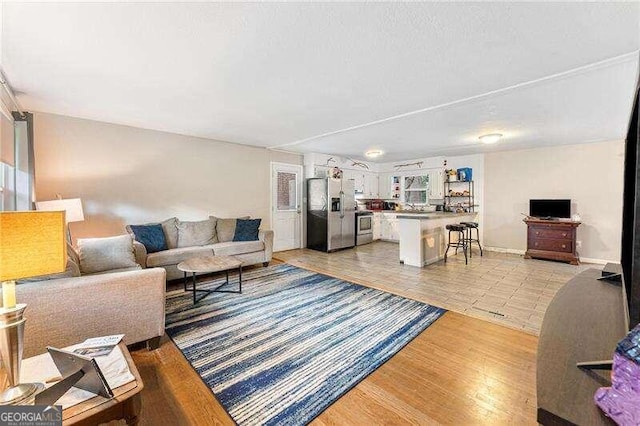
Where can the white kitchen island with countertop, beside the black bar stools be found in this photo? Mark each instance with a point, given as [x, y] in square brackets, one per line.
[423, 236]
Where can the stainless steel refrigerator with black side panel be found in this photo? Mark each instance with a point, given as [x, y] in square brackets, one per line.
[331, 214]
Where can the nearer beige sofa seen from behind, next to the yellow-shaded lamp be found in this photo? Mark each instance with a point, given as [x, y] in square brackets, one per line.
[67, 310]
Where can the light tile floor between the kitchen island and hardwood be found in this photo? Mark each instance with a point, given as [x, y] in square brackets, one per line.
[499, 287]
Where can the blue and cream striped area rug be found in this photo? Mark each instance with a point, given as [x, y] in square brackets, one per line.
[293, 342]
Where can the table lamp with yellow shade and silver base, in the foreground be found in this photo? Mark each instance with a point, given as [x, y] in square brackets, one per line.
[31, 244]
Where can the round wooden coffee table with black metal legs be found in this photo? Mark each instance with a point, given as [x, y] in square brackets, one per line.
[206, 265]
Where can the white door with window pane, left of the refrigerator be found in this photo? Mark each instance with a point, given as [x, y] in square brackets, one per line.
[286, 208]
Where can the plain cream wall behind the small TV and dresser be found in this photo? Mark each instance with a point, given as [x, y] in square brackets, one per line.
[591, 175]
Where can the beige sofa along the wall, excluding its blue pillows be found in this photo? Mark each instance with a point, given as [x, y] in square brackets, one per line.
[203, 238]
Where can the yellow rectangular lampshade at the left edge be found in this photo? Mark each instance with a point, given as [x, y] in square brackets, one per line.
[31, 244]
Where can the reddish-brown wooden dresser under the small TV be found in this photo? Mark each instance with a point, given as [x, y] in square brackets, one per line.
[552, 239]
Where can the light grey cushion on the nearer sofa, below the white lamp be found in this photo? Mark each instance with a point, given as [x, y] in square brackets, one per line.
[105, 254]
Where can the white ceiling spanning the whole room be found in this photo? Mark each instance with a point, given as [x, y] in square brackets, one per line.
[333, 77]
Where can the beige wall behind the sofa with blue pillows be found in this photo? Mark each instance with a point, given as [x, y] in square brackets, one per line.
[129, 175]
